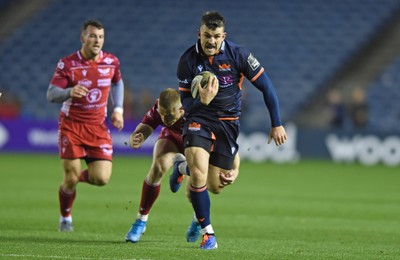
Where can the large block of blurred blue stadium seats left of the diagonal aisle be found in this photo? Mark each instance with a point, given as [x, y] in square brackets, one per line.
[300, 43]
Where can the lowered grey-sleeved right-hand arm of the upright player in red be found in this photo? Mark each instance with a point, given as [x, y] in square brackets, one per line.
[117, 97]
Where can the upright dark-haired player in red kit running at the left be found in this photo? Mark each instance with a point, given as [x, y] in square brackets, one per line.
[82, 83]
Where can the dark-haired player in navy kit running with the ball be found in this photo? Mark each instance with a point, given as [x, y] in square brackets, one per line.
[212, 121]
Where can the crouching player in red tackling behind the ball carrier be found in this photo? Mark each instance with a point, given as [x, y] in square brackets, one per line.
[168, 113]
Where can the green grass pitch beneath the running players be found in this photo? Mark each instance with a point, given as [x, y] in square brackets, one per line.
[309, 210]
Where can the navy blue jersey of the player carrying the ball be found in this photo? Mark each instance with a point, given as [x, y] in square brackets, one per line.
[230, 65]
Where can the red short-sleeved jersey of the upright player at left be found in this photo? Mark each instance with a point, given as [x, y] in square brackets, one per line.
[97, 76]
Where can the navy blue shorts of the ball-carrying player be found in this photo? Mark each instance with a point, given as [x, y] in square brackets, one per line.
[218, 137]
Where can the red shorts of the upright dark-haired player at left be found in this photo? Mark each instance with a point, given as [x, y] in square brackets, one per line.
[78, 140]
